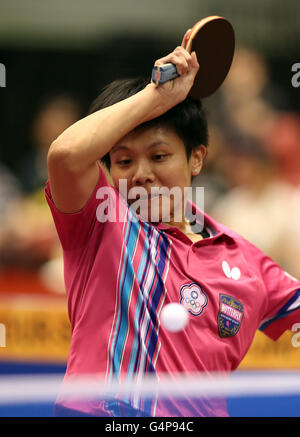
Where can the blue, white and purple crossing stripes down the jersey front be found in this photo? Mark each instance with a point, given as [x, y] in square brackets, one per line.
[150, 278]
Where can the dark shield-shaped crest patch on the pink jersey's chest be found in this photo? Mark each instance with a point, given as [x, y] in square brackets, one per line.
[230, 315]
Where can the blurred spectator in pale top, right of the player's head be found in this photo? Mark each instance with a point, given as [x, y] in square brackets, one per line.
[260, 206]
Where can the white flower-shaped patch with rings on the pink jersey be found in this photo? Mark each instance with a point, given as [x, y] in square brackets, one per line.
[193, 298]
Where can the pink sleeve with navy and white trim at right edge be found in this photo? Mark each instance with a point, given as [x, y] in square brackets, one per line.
[283, 298]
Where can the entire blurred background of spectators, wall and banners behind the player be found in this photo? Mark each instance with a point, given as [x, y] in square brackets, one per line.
[58, 55]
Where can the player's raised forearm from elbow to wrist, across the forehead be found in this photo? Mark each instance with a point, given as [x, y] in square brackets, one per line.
[89, 139]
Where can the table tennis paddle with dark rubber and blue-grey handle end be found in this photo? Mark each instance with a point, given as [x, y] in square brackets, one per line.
[212, 39]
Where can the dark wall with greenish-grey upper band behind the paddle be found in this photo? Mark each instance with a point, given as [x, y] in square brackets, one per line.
[77, 47]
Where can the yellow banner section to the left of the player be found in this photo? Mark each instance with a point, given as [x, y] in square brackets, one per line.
[36, 329]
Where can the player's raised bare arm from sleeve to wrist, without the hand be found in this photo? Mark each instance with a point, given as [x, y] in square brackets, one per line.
[72, 157]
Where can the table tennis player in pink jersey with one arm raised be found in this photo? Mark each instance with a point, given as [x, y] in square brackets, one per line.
[119, 274]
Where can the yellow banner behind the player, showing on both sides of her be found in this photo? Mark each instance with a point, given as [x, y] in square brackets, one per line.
[38, 329]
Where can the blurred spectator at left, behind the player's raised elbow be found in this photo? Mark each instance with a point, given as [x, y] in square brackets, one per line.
[28, 239]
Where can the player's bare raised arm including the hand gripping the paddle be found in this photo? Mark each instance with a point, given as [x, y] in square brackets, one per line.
[72, 157]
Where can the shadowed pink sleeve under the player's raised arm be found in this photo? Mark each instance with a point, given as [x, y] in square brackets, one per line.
[74, 228]
